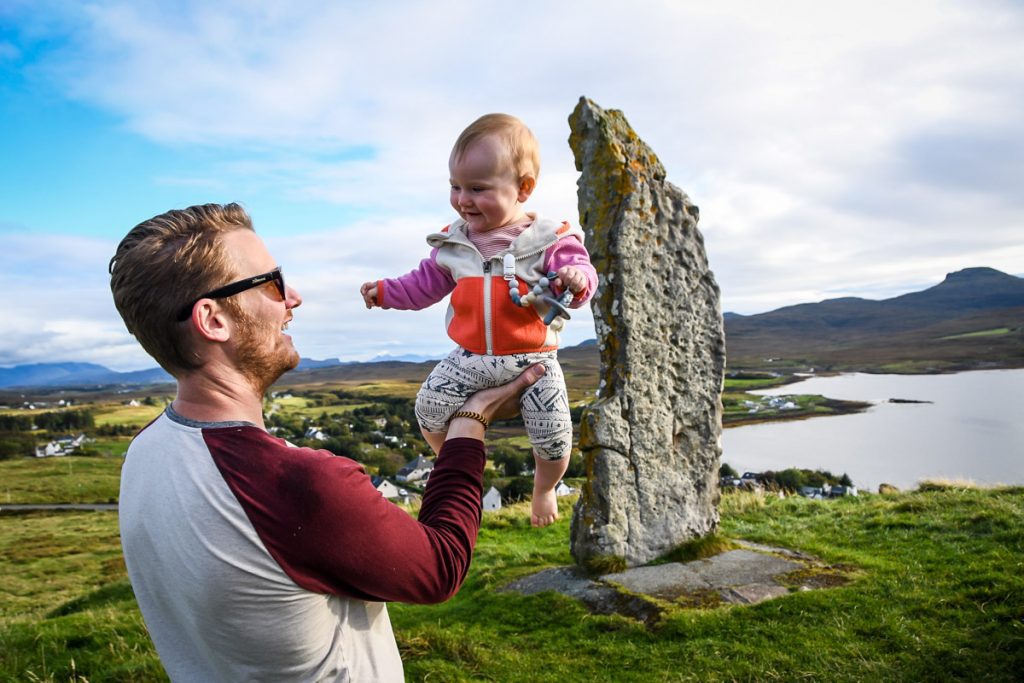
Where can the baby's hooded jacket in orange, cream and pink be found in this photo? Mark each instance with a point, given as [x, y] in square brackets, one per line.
[482, 317]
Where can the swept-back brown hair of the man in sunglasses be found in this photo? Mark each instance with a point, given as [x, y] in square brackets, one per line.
[165, 264]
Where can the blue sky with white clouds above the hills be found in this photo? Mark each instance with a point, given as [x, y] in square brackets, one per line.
[835, 149]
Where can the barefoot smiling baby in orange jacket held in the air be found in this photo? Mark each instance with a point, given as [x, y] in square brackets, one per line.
[490, 261]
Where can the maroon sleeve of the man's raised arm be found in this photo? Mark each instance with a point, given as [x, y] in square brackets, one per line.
[332, 532]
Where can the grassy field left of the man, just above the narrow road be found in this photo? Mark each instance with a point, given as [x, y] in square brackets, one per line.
[66, 480]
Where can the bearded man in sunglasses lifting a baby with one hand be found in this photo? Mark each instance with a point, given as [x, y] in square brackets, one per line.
[251, 560]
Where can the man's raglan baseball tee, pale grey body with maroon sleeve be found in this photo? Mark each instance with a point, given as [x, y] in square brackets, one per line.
[253, 561]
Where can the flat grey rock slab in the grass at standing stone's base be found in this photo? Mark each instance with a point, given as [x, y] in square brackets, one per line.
[737, 577]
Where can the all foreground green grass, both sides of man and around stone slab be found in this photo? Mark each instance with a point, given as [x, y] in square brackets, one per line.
[938, 595]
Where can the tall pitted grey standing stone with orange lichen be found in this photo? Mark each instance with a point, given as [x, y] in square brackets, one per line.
[652, 440]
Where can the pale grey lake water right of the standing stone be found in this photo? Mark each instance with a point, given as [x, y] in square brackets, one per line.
[972, 431]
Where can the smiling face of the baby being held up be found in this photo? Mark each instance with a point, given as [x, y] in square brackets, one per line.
[486, 191]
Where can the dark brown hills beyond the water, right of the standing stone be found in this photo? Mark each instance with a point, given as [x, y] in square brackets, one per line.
[974, 318]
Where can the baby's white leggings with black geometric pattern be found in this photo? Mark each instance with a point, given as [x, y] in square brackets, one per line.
[545, 405]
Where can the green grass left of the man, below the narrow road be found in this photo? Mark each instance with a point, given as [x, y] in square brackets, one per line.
[69, 613]
